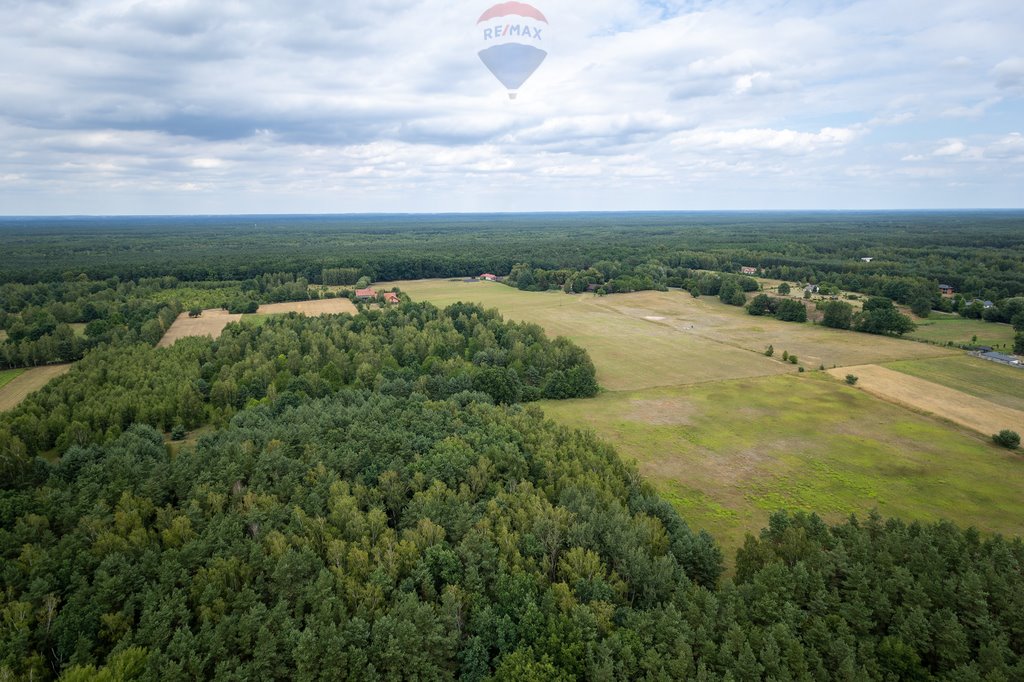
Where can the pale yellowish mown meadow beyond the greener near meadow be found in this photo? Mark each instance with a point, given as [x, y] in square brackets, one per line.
[653, 339]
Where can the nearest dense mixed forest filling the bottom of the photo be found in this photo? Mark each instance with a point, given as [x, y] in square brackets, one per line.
[369, 537]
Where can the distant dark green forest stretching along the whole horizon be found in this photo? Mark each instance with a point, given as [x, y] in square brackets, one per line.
[979, 253]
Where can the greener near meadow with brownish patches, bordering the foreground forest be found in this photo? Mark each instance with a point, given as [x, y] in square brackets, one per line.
[729, 454]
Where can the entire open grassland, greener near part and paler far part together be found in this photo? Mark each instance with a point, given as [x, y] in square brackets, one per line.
[731, 436]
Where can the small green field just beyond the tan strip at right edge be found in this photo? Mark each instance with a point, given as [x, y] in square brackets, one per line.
[999, 383]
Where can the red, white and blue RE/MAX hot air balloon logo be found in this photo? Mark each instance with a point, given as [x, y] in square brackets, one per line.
[514, 35]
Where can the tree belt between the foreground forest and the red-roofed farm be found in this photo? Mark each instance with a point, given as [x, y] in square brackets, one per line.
[462, 351]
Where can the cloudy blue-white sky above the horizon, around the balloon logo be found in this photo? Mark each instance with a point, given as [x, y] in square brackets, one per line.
[122, 107]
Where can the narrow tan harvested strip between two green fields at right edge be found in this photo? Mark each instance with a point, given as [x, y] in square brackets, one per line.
[974, 413]
